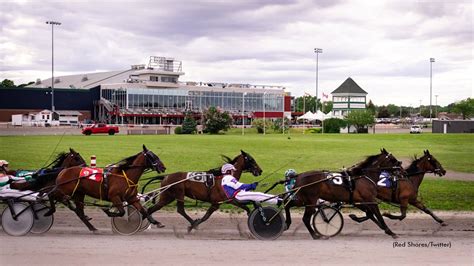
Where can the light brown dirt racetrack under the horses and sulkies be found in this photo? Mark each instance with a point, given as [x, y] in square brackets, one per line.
[225, 240]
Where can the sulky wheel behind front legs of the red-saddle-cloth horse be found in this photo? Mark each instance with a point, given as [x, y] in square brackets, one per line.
[129, 223]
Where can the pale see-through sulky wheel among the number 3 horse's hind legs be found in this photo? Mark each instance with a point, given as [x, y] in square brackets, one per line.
[328, 221]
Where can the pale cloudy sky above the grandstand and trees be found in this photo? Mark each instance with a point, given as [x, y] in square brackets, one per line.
[384, 46]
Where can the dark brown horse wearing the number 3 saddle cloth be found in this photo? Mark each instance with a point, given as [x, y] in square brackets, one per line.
[312, 185]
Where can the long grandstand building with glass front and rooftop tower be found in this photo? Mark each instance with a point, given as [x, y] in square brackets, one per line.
[147, 94]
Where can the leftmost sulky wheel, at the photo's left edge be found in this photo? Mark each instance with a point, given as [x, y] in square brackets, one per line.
[20, 222]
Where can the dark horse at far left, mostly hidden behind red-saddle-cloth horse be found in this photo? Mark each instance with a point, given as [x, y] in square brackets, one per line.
[46, 177]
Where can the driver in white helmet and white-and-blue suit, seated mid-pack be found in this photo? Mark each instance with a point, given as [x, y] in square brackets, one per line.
[240, 191]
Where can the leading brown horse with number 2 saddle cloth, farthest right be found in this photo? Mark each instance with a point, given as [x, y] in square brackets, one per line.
[406, 190]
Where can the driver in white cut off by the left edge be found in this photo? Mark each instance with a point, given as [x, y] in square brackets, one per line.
[7, 192]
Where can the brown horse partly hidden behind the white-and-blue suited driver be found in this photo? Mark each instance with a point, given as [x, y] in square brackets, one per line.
[179, 185]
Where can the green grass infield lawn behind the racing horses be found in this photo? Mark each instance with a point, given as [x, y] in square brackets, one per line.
[274, 153]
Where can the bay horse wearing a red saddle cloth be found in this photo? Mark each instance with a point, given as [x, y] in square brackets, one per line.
[117, 186]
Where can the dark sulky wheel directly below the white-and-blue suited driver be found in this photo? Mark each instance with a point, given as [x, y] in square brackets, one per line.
[266, 223]
